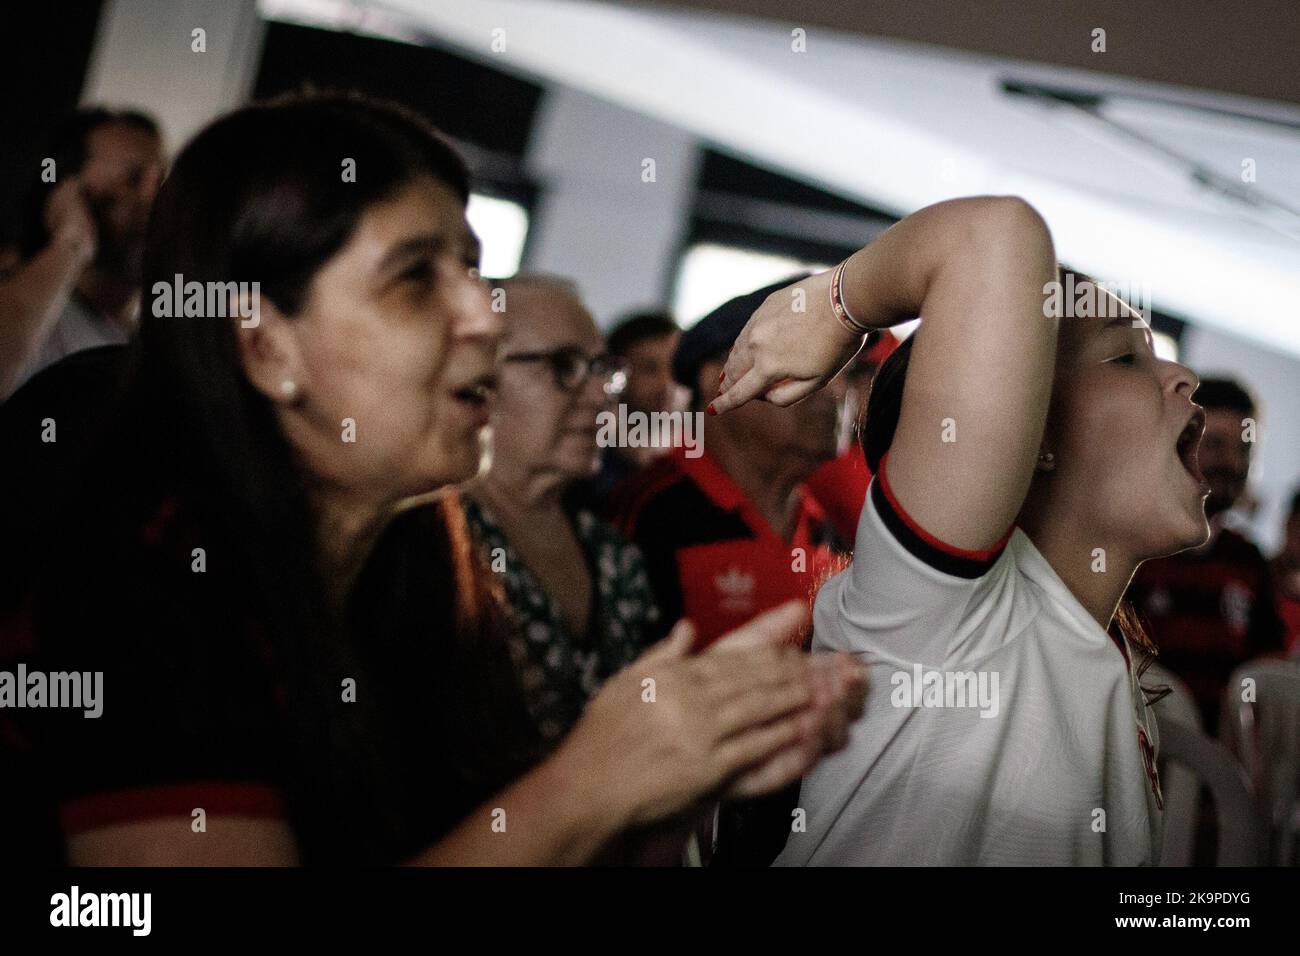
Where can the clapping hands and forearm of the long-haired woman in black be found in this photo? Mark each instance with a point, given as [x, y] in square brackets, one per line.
[664, 737]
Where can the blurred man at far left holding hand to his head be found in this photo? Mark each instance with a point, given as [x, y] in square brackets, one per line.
[72, 282]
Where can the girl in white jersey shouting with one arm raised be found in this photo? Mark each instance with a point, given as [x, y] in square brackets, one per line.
[1025, 466]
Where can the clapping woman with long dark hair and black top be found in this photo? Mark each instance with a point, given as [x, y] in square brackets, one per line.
[288, 673]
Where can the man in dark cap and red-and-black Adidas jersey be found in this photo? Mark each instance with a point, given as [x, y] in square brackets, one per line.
[733, 531]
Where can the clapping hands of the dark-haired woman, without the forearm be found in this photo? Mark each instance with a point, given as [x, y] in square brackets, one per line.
[746, 719]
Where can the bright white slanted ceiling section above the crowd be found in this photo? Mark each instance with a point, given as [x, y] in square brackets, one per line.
[900, 126]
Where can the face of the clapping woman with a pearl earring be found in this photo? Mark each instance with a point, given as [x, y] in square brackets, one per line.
[397, 348]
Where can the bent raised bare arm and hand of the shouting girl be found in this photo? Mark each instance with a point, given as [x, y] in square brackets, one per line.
[981, 374]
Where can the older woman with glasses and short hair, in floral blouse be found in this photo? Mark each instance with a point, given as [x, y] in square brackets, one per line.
[577, 591]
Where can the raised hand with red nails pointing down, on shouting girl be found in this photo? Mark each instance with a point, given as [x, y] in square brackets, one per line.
[792, 347]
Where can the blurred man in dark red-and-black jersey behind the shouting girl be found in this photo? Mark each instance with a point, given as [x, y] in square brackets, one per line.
[1212, 609]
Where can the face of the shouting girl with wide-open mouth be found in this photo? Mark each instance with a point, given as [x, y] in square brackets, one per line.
[1120, 431]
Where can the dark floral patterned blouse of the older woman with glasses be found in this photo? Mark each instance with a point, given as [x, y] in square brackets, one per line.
[558, 671]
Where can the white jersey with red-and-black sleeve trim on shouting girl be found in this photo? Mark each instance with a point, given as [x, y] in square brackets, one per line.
[1003, 725]
